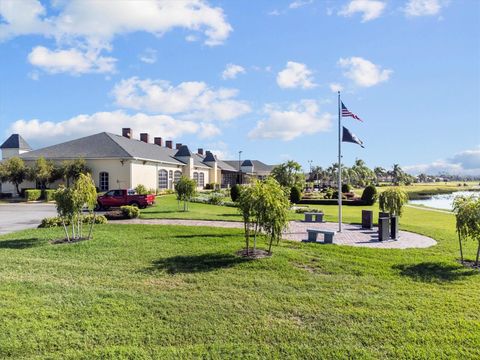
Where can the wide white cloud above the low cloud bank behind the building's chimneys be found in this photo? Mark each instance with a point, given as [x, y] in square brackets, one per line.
[190, 100]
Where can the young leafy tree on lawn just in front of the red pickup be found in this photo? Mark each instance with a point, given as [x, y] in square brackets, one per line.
[70, 202]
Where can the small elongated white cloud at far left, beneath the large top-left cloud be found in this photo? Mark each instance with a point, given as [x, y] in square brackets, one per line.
[71, 61]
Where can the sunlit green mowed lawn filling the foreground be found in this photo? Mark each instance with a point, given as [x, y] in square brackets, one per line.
[181, 292]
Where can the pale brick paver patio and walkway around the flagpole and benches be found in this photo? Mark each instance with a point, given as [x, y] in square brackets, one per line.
[352, 235]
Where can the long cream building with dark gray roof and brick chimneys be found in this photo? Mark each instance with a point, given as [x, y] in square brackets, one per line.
[120, 161]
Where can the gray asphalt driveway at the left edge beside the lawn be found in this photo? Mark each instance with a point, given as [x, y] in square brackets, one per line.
[14, 217]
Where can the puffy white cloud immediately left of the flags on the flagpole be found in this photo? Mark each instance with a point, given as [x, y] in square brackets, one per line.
[302, 118]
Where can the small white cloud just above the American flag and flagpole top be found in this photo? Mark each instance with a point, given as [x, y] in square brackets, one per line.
[363, 72]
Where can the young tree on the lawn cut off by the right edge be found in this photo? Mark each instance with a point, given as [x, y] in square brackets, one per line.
[467, 213]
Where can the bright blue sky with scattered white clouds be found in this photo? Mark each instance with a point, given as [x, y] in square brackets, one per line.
[259, 77]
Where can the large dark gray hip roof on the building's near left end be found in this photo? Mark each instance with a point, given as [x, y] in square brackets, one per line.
[105, 145]
